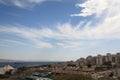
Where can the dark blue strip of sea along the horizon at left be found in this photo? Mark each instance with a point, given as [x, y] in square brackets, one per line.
[21, 64]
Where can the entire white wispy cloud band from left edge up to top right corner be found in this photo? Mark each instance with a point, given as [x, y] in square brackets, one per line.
[69, 36]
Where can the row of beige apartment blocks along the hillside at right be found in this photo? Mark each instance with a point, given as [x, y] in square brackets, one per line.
[100, 59]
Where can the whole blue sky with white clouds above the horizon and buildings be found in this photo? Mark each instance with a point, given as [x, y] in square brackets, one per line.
[58, 30]
